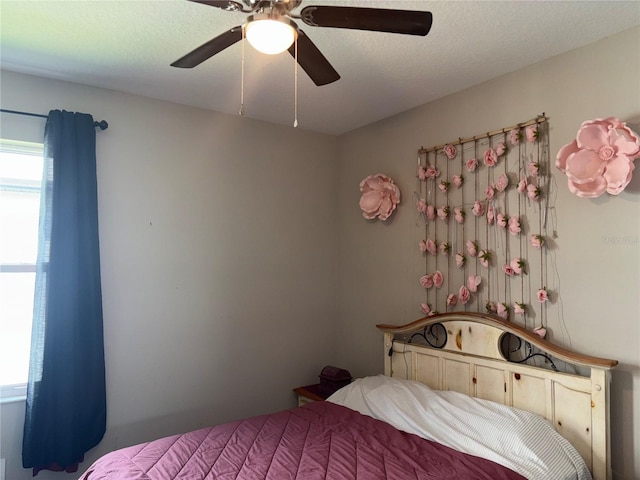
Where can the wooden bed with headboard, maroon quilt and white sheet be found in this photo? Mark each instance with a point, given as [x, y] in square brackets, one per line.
[462, 396]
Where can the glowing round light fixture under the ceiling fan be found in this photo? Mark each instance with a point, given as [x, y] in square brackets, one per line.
[270, 34]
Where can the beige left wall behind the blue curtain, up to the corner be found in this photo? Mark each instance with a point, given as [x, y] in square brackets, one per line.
[217, 261]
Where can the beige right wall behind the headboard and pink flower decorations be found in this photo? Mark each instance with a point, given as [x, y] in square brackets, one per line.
[598, 244]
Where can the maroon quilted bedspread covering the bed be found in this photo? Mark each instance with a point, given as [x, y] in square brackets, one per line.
[320, 440]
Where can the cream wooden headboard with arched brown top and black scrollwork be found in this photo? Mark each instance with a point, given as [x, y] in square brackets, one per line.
[486, 357]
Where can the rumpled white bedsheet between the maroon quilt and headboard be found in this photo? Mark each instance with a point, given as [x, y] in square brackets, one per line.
[519, 440]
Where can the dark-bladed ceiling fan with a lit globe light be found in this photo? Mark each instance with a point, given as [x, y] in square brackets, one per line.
[268, 17]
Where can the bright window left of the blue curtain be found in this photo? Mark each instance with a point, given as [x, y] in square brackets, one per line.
[20, 177]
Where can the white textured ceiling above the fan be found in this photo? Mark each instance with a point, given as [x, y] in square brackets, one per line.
[128, 46]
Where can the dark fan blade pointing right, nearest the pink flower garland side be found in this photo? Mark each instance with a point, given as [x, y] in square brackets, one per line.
[408, 22]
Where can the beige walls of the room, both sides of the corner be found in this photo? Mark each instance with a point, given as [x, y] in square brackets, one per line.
[217, 245]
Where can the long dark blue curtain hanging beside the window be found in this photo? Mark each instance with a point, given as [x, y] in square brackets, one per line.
[66, 396]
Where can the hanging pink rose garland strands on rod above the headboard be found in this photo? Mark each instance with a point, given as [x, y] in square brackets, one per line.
[483, 203]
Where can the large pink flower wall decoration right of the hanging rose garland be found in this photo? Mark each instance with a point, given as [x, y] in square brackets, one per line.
[600, 159]
